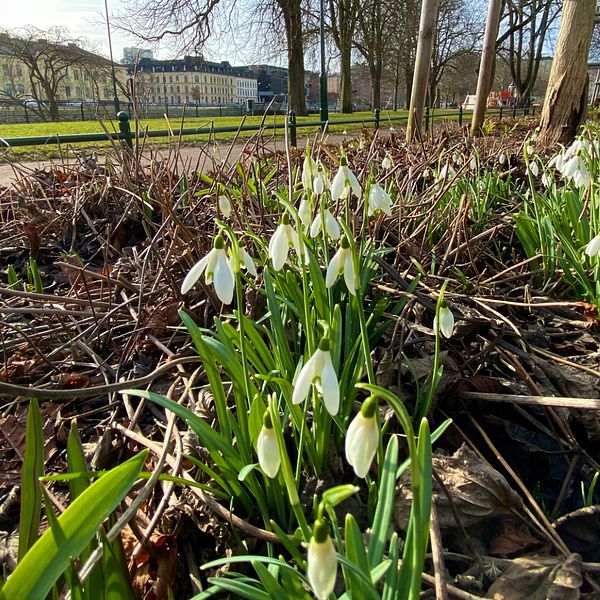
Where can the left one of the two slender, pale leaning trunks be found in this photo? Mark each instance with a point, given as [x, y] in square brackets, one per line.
[429, 12]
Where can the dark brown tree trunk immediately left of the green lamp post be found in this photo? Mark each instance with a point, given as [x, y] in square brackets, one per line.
[292, 16]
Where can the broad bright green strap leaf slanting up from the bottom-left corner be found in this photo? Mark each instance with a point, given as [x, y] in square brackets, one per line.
[50, 555]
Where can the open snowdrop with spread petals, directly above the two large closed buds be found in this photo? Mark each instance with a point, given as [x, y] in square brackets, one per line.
[319, 371]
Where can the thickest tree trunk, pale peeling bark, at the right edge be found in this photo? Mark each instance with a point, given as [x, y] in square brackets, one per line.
[566, 96]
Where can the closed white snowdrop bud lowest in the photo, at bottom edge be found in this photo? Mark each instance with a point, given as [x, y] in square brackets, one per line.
[322, 561]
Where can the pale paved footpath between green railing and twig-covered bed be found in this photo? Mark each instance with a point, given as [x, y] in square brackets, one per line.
[200, 158]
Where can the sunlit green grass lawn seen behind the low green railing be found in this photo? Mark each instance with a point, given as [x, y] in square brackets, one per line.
[362, 119]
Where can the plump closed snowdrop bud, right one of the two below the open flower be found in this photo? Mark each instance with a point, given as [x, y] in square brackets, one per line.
[362, 438]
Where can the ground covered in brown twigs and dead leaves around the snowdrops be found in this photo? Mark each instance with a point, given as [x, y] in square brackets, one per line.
[515, 513]
